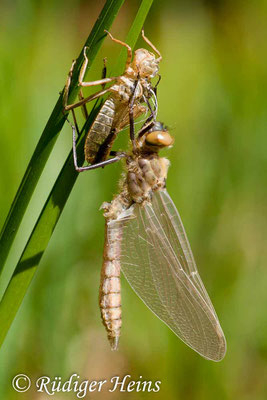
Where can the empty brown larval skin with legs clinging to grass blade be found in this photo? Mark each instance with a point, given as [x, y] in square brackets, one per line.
[122, 107]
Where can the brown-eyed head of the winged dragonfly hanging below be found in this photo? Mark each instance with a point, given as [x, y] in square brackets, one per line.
[158, 137]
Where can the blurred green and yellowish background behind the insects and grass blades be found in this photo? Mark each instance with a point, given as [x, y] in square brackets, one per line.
[213, 98]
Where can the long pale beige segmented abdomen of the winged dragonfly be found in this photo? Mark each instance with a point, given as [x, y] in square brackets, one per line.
[110, 285]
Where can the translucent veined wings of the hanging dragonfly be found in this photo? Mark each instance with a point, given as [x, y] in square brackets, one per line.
[158, 263]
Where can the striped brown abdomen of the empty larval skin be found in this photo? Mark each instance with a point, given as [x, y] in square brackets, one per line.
[99, 130]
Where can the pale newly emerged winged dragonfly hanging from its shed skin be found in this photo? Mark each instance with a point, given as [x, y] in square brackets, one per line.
[145, 238]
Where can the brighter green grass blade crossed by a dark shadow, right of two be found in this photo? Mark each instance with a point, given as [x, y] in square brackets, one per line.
[50, 214]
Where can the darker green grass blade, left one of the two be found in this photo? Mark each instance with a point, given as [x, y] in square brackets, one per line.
[50, 134]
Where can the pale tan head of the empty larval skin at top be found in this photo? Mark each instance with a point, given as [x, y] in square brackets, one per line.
[145, 64]
